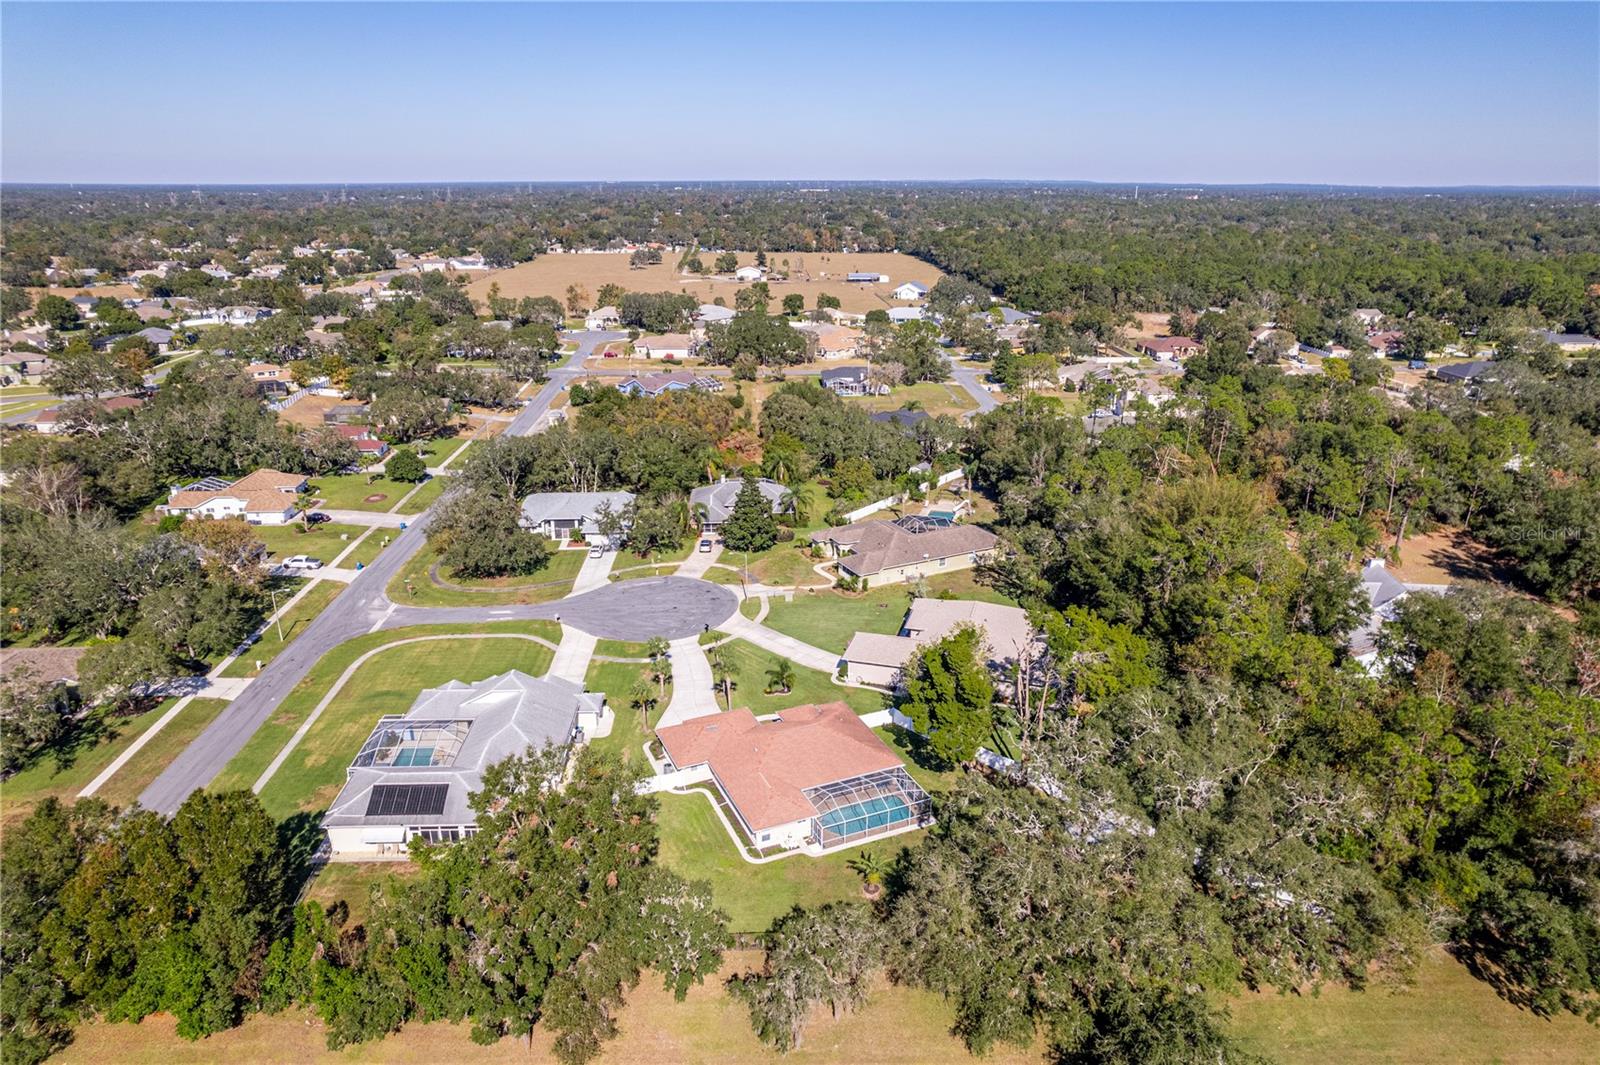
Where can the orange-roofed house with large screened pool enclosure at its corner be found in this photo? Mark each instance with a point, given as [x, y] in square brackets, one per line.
[810, 776]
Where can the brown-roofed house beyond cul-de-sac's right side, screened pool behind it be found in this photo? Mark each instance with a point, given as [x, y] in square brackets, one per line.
[906, 549]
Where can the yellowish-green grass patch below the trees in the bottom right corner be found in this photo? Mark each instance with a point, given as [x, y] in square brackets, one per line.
[1447, 1018]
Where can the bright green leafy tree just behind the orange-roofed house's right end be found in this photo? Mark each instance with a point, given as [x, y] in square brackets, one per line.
[950, 696]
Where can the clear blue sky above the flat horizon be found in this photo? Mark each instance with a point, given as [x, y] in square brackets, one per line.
[1409, 94]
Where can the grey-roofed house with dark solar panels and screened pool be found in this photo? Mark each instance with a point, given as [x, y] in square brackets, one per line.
[415, 775]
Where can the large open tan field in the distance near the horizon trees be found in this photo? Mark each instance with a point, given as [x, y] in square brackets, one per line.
[810, 274]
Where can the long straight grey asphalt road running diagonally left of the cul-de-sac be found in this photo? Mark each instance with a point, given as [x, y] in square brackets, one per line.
[361, 608]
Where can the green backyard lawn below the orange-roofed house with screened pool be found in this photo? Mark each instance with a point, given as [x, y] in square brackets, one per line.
[697, 847]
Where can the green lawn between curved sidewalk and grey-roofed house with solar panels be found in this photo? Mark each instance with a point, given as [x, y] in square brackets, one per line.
[386, 684]
